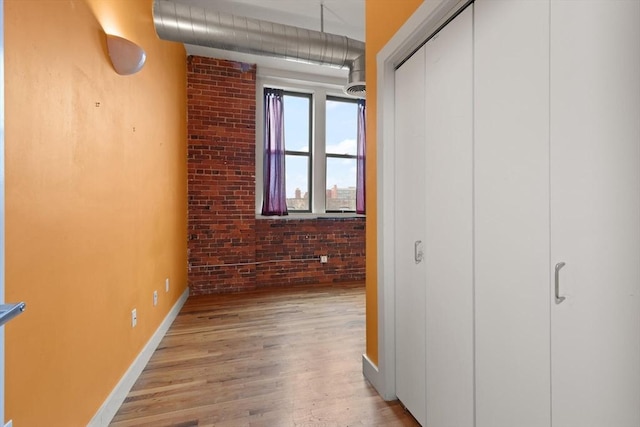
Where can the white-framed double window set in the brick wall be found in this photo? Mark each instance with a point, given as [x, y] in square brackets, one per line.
[320, 137]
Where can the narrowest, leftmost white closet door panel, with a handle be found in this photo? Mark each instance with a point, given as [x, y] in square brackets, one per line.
[410, 279]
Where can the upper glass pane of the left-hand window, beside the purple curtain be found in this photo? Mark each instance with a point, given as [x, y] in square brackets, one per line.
[296, 123]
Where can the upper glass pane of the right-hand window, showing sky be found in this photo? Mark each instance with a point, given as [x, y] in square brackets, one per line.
[341, 127]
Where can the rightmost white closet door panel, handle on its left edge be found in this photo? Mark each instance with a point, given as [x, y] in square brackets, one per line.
[595, 214]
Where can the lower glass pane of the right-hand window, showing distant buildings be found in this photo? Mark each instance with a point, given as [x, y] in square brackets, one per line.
[341, 184]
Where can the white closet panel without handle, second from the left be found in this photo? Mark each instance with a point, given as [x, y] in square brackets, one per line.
[449, 222]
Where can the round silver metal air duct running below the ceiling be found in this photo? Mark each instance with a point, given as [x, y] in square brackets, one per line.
[197, 26]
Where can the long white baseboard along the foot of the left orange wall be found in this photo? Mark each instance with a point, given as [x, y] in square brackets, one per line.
[110, 407]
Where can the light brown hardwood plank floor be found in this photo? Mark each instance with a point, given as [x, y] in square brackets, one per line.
[272, 358]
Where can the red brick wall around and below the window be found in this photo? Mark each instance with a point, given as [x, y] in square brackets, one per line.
[221, 185]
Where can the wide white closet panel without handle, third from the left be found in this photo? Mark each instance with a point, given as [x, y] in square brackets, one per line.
[511, 110]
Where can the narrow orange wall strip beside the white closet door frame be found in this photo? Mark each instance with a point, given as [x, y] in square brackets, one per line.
[383, 19]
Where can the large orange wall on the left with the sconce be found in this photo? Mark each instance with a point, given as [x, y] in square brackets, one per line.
[95, 201]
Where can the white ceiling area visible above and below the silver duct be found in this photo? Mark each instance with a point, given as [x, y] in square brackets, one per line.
[342, 17]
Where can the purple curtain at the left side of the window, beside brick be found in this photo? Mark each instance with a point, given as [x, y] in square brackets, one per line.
[274, 201]
